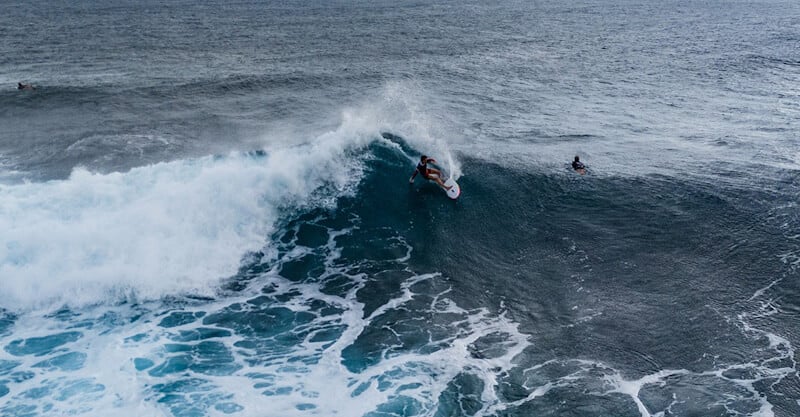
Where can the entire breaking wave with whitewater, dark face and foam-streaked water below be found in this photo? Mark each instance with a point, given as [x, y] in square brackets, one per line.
[419, 308]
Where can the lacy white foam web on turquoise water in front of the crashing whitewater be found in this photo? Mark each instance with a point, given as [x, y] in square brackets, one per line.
[306, 378]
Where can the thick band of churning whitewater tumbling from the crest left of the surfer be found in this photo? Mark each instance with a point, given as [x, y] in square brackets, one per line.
[160, 229]
